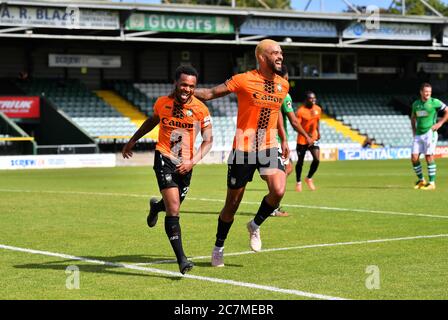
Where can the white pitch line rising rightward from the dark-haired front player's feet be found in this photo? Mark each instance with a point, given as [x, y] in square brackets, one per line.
[322, 245]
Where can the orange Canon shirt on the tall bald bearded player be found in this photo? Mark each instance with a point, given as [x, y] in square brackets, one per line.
[259, 102]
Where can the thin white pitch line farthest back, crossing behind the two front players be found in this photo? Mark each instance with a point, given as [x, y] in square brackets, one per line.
[243, 202]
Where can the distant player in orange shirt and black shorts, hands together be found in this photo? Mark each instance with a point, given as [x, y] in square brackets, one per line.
[308, 116]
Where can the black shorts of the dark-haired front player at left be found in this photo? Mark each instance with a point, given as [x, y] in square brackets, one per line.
[166, 174]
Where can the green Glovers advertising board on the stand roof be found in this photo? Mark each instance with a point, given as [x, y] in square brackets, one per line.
[179, 23]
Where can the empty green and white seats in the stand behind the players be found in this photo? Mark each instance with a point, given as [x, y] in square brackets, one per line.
[369, 114]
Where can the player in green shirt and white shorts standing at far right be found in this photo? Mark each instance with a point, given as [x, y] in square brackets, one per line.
[424, 128]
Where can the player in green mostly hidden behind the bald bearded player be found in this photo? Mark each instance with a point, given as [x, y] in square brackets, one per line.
[288, 114]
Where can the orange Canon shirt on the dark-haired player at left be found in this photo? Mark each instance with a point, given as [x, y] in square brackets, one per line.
[179, 125]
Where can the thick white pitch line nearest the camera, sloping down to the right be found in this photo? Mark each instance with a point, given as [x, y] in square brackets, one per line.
[175, 274]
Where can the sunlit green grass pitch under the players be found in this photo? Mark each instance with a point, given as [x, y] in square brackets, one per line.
[101, 214]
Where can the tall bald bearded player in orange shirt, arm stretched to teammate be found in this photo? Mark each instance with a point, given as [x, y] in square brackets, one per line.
[260, 95]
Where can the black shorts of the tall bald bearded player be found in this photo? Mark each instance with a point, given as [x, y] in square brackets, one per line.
[242, 165]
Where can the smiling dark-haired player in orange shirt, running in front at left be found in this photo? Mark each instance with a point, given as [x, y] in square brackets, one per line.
[181, 116]
